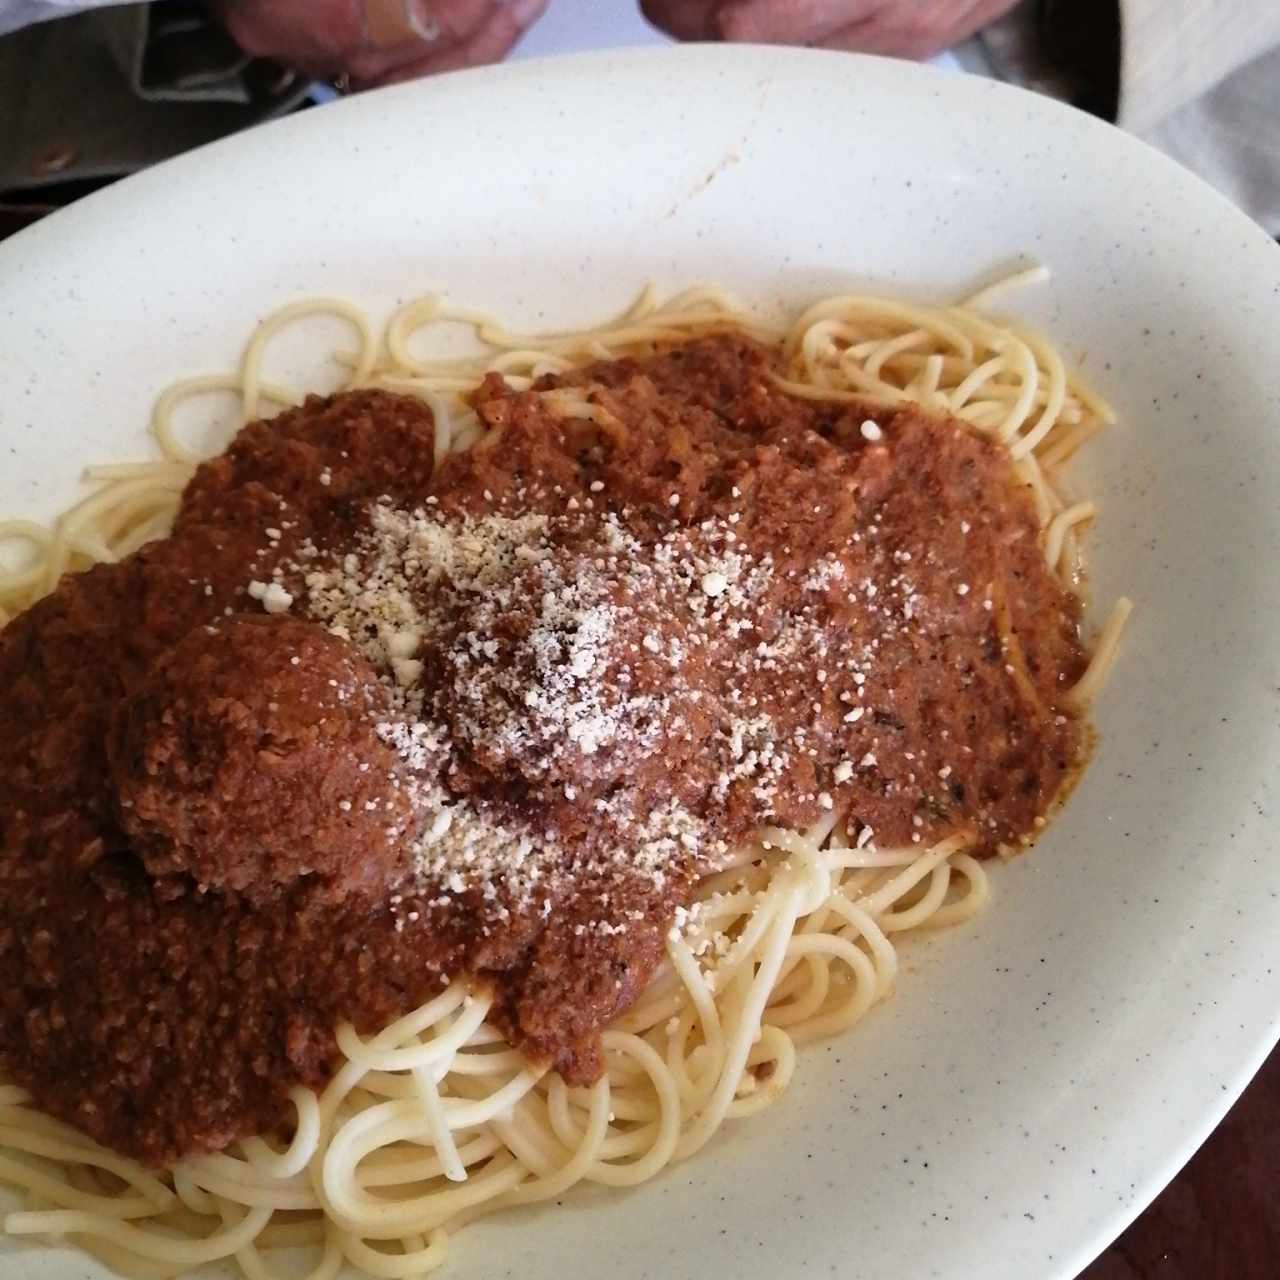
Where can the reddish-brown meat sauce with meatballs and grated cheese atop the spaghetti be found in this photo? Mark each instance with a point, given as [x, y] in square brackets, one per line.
[360, 725]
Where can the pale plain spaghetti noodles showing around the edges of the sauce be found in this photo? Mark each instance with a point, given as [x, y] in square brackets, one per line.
[437, 1121]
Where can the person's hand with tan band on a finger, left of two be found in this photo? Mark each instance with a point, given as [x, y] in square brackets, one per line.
[378, 42]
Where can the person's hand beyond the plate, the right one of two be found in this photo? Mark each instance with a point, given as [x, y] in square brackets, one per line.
[903, 29]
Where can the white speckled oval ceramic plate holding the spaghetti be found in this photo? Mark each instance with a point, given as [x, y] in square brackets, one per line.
[1044, 1072]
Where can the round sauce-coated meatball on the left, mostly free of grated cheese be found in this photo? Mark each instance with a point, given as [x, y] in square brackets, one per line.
[250, 758]
